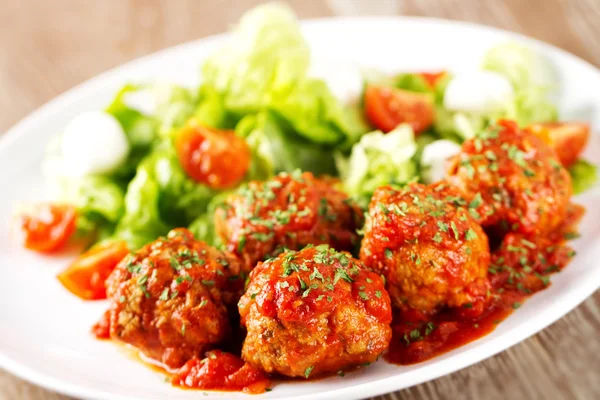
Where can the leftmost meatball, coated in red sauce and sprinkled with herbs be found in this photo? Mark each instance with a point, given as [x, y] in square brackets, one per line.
[169, 299]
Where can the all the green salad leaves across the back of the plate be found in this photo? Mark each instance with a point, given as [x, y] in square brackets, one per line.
[258, 86]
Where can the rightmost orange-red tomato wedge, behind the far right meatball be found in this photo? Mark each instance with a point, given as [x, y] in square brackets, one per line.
[568, 139]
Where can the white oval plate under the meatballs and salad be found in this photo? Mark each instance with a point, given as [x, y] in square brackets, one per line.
[44, 330]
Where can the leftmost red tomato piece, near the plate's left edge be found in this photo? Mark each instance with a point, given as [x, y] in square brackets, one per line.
[47, 227]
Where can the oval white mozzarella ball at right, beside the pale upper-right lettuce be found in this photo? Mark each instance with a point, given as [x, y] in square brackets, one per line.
[478, 91]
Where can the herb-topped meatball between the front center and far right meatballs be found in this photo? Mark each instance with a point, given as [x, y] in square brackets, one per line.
[430, 250]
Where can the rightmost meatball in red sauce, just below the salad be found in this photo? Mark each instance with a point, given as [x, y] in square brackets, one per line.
[513, 179]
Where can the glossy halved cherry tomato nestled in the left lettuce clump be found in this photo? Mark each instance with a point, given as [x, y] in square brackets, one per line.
[217, 158]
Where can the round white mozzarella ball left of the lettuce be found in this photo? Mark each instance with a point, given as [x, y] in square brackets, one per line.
[93, 143]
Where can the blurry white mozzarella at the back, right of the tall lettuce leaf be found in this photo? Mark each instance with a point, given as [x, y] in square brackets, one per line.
[343, 78]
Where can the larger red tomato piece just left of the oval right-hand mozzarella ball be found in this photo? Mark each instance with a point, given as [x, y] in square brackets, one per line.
[386, 108]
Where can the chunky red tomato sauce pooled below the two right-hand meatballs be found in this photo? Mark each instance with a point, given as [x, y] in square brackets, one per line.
[520, 266]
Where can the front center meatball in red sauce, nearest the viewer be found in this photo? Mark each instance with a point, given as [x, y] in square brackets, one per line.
[312, 312]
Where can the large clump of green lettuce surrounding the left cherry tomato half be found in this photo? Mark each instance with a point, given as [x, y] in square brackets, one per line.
[257, 85]
